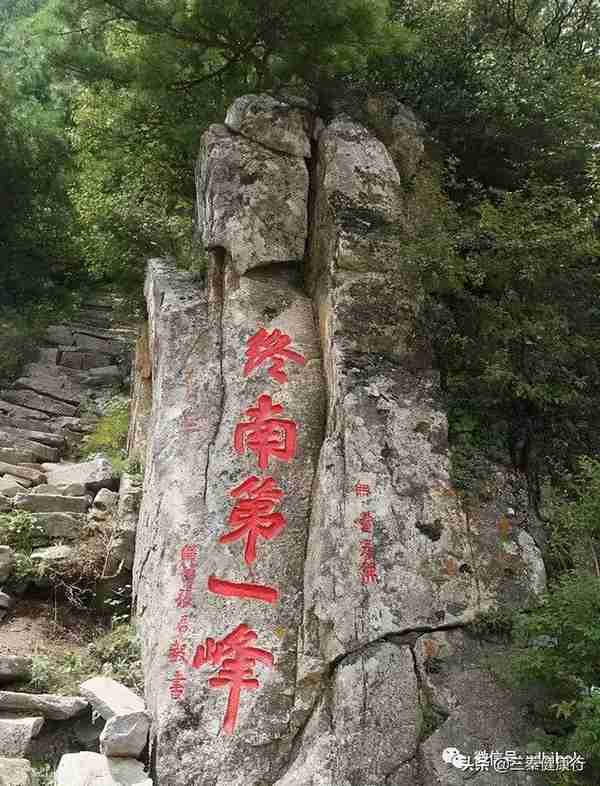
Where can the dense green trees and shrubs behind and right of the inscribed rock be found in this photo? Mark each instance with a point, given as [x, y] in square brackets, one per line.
[102, 103]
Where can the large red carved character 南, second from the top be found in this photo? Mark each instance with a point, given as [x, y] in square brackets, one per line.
[265, 434]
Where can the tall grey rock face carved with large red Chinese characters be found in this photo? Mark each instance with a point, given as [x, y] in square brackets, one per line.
[299, 536]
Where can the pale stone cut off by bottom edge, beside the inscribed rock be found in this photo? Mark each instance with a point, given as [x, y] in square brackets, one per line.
[82, 769]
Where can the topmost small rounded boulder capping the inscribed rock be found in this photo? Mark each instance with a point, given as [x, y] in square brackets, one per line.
[272, 123]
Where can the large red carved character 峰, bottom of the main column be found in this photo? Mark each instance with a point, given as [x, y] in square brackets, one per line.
[236, 658]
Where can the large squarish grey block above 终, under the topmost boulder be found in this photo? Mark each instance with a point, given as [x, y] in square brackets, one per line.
[251, 201]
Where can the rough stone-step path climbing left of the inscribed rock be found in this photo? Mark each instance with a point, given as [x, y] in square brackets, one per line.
[44, 417]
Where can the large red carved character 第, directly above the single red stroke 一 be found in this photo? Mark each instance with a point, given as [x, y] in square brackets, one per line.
[253, 514]
